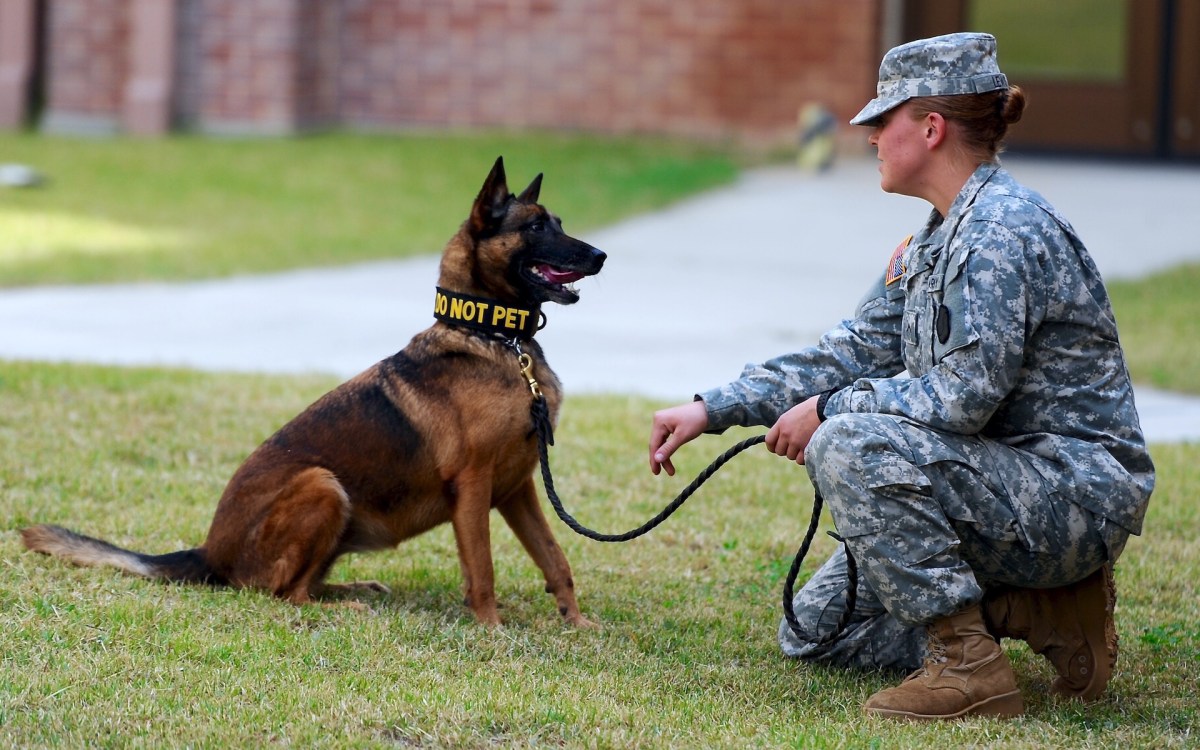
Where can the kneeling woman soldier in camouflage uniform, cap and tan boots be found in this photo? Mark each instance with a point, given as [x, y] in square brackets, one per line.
[973, 429]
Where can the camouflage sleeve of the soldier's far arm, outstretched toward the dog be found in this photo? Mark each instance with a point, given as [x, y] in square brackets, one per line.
[865, 347]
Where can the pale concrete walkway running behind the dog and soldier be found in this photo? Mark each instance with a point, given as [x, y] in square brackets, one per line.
[688, 297]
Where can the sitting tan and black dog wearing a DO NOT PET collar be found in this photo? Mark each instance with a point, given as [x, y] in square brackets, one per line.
[441, 431]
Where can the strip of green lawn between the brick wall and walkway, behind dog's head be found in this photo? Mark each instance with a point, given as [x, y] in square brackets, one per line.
[184, 208]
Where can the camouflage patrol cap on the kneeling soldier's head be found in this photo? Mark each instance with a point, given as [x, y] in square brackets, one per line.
[938, 67]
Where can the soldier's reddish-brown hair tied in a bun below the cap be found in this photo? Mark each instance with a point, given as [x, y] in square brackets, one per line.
[983, 118]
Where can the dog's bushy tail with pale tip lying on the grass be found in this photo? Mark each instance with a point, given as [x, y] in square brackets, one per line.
[187, 567]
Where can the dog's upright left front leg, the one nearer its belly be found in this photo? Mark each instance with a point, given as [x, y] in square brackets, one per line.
[470, 518]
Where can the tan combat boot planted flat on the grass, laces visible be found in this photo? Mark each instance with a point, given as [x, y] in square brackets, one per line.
[965, 675]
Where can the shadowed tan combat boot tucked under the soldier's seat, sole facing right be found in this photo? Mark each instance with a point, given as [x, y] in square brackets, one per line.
[1071, 626]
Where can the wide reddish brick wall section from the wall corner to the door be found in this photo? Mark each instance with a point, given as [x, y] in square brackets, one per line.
[698, 68]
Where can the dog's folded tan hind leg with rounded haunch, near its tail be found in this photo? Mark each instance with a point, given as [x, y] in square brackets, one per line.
[299, 538]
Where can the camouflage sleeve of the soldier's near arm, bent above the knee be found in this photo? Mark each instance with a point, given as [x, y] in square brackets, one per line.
[988, 308]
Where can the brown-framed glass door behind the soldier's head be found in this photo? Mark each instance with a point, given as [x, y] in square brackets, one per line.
[1102, 76]
